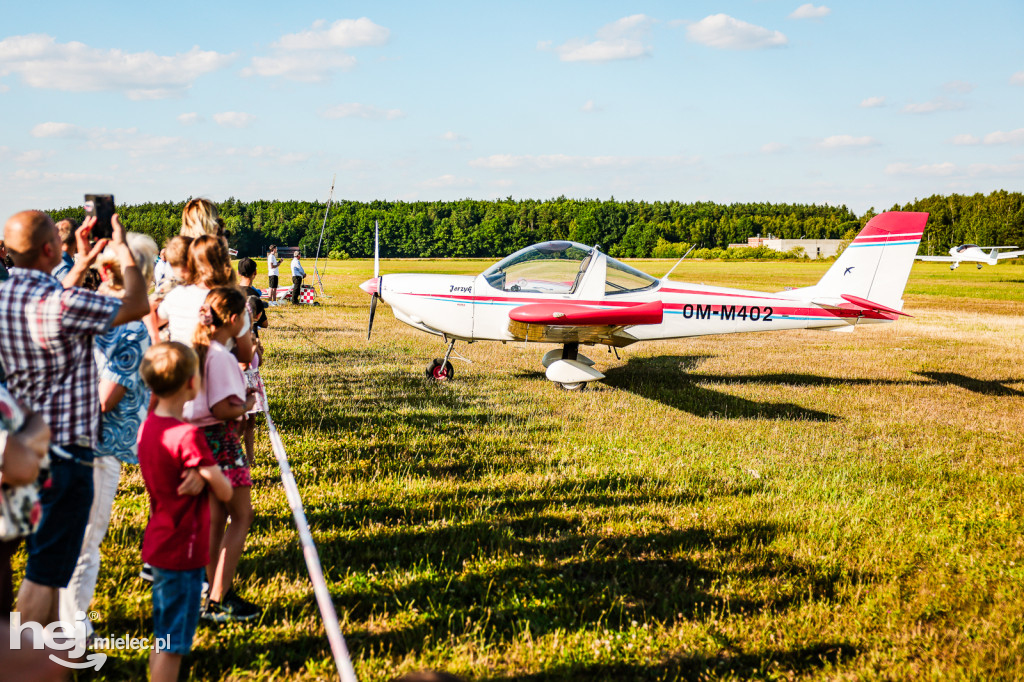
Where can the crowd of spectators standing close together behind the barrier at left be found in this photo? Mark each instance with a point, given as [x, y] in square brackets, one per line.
[113, 357]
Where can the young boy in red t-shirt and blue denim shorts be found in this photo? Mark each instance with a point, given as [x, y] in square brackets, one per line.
[178, 539]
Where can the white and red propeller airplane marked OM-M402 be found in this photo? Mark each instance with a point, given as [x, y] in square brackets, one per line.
[571, 294]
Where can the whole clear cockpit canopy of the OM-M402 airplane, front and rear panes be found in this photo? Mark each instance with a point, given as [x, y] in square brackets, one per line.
[559, 268]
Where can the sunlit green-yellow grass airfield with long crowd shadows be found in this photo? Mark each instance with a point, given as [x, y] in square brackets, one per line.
[802, 505]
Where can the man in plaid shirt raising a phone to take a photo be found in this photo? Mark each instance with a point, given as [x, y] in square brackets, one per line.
[47, 350]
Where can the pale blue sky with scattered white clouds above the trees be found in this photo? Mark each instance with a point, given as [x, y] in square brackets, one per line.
[864, 104]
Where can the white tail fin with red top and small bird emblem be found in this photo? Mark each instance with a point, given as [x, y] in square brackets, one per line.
[877, 265]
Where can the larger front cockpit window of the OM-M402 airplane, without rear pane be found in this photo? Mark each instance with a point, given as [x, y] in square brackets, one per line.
[551, 268]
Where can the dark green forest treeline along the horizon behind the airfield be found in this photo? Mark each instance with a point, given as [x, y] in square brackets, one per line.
[492, 229]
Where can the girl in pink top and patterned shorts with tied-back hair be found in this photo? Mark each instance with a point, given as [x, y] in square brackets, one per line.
[218, 410]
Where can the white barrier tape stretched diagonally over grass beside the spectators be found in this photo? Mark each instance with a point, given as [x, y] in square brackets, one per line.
[334, 636]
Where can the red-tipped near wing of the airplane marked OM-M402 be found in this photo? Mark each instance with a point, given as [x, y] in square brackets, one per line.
[569, 322]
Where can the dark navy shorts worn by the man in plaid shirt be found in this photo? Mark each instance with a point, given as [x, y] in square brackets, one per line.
[66, 501]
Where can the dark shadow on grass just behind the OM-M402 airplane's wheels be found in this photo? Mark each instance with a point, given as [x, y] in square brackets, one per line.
[667, 380]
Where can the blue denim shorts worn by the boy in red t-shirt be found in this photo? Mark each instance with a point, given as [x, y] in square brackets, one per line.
[177, 600]
